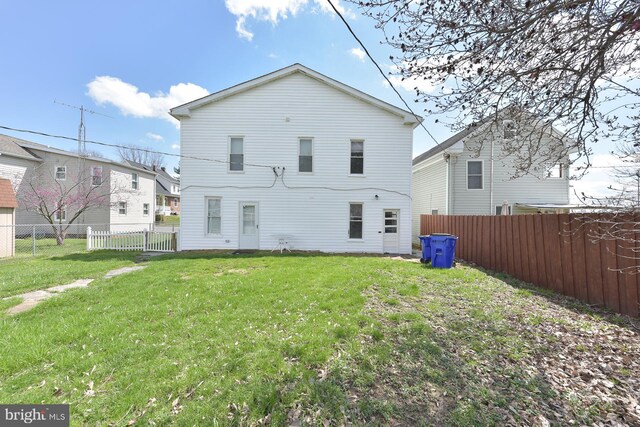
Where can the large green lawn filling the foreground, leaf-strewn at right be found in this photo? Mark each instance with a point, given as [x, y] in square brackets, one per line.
[216, 339]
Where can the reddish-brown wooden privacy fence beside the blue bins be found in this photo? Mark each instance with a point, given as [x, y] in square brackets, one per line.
[589, 257]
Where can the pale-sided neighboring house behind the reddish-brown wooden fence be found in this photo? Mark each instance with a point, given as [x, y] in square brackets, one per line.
[469, 174]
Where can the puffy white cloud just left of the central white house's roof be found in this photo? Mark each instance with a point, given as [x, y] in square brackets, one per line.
[132, 102]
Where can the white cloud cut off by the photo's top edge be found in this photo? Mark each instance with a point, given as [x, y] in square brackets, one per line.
[273, 11]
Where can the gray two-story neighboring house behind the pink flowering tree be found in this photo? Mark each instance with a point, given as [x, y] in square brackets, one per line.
[23, 162]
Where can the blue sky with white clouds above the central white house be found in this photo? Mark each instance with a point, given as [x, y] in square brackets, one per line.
[132, 60]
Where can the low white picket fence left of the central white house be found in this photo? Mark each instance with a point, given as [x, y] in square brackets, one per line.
[151, 241]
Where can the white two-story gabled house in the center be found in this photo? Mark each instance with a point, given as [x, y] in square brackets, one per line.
[295, 157]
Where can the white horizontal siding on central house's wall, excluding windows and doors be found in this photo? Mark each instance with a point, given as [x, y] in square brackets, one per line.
[311, 213]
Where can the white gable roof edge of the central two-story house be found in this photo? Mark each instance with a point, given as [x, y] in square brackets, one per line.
[185, 109]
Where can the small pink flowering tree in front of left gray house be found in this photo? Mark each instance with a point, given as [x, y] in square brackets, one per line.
[62, 201]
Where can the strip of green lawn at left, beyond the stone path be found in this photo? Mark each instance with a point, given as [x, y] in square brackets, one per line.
[19, 275]
